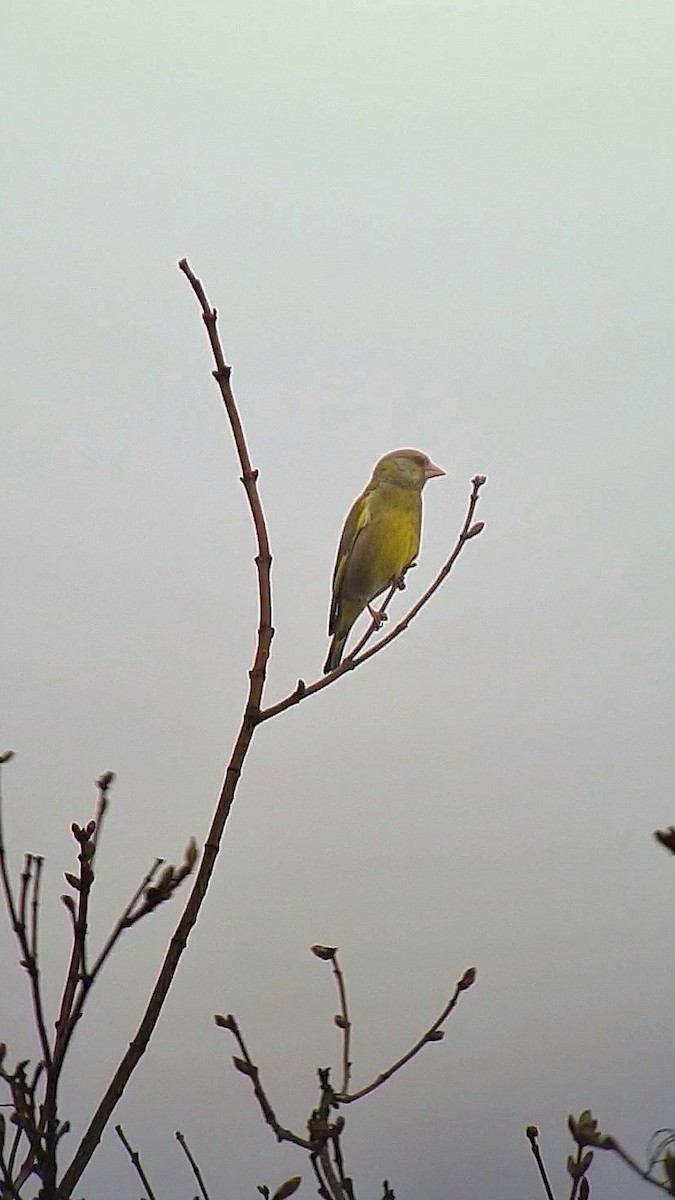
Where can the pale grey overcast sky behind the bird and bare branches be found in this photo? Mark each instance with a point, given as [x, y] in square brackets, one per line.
[437, 225]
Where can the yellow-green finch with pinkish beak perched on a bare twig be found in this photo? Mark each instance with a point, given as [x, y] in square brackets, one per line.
[379, 543]
